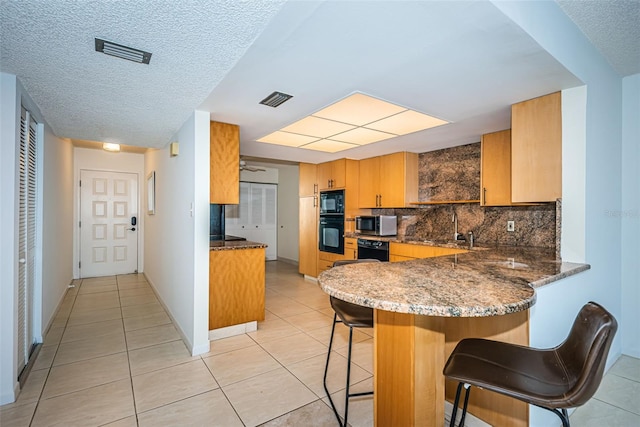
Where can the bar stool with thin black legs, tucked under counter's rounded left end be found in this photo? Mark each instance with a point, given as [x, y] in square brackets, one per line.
[353, 316]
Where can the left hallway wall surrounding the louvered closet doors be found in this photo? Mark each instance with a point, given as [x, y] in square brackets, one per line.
[54, 240]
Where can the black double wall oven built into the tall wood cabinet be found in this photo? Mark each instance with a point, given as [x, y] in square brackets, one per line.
[331, 224]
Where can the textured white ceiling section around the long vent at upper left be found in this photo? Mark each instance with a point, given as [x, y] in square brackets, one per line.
[87, 95]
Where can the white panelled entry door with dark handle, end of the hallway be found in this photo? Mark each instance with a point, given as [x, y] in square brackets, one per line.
[108, 232]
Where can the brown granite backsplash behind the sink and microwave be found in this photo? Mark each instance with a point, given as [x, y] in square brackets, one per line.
[454, 174]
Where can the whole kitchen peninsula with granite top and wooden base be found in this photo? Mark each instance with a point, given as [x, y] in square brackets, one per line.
[423, 307]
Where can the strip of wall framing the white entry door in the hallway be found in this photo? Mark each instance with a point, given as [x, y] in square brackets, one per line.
[92, 159]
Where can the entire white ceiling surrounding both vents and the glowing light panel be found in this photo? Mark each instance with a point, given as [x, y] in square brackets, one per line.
[462, 61]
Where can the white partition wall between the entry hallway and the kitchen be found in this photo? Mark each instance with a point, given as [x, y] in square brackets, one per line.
[176, 238]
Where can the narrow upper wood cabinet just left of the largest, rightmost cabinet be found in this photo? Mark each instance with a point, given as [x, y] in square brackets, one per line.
[495, 169]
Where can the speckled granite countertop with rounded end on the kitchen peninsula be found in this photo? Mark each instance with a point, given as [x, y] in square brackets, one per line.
[488, 282]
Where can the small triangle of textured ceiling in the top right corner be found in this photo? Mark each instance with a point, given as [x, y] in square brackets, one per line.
[613, 27]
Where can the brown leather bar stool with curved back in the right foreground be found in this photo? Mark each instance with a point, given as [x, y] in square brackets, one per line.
[555, 379]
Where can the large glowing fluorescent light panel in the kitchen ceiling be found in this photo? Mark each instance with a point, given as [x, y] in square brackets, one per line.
[356, 120]
